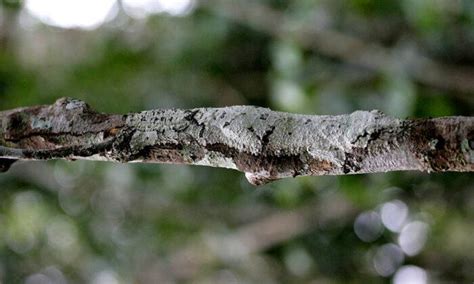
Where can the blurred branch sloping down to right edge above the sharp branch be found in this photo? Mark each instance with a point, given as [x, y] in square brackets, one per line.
[346, 47]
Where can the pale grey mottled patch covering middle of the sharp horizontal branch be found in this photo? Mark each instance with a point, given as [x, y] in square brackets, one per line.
[263, 133]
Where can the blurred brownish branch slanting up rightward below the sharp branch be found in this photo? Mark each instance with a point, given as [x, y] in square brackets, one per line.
[256, 237]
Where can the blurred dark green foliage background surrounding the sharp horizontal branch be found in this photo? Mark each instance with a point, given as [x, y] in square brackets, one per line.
[77, 222]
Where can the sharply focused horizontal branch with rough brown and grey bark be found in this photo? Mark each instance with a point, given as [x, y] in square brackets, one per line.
[265, 144]
